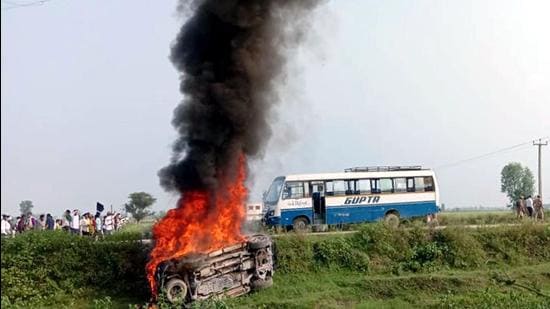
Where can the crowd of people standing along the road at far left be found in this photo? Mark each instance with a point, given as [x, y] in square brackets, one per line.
[71, 221]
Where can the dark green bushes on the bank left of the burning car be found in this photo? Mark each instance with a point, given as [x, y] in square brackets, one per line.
[38, 265]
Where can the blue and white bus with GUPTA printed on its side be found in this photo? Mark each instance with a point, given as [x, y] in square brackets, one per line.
[359, 194]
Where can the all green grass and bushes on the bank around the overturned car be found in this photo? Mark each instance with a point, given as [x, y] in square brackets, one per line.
[375, 267]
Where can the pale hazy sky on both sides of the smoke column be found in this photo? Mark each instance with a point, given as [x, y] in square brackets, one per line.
[88, 91]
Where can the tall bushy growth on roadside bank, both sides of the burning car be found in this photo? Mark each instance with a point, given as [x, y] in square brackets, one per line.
[38, 267]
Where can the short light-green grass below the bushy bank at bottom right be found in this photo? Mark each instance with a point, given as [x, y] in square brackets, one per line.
[353, 289]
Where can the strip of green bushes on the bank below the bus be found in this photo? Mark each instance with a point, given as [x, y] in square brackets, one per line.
[381, 249]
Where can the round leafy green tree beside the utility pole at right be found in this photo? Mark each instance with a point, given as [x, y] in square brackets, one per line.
[516, 181]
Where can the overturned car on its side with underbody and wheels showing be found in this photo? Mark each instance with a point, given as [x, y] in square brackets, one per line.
[230, 271]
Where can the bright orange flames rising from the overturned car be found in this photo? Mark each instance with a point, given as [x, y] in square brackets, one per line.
[201, 223]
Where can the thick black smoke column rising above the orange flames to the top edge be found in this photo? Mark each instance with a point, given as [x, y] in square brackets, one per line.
[230, 54]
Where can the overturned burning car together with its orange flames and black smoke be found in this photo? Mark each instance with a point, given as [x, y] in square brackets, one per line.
[230, 56]
